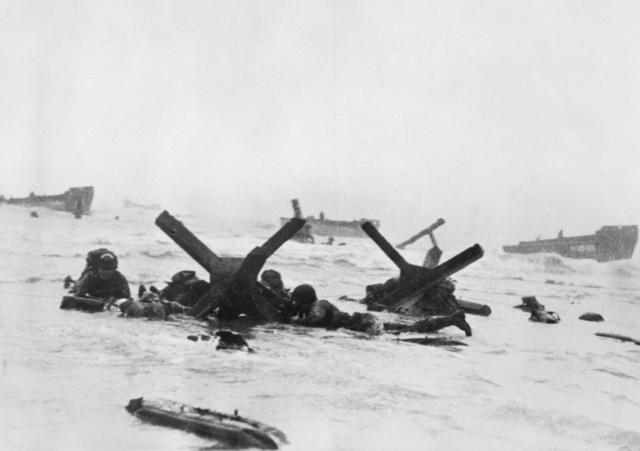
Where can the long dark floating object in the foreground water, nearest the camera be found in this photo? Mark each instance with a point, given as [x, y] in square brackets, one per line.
[231, 430]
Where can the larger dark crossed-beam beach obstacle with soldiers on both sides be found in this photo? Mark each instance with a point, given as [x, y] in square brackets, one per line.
[234, 287]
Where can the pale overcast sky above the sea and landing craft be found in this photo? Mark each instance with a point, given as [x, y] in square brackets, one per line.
[507, 119]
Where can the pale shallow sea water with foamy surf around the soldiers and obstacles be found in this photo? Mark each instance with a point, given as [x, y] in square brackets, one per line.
[65, 376]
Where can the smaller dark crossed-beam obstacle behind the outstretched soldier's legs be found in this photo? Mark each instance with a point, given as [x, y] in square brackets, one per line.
[414, 281]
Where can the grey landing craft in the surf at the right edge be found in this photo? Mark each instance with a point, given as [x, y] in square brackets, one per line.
[607, 244]
